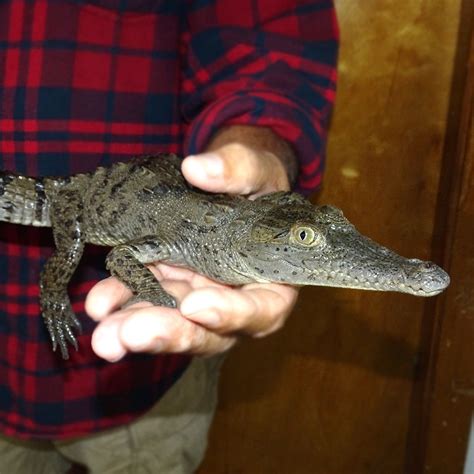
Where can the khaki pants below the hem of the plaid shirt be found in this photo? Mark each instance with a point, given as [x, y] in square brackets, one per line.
[169, 439]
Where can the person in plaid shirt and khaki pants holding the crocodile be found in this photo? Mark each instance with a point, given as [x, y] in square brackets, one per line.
[244, 91]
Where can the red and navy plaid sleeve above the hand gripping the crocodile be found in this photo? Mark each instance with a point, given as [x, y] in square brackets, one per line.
[267, 63]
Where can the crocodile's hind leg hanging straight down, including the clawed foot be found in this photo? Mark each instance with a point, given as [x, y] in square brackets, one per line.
[56, 307]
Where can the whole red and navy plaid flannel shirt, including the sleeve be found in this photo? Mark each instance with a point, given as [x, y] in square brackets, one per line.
[84, 84]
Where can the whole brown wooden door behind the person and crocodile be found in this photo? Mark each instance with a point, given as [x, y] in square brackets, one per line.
[357, 381]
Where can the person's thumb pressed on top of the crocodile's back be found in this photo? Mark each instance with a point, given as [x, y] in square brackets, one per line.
[235, 169]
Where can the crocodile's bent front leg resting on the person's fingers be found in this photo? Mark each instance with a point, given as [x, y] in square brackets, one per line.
[126, 262]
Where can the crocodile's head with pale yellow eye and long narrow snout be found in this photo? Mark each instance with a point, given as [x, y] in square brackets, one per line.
[296, 242]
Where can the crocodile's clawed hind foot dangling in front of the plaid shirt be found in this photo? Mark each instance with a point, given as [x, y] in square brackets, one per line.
[60, 321]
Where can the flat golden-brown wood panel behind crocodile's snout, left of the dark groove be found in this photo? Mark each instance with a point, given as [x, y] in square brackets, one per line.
[331, 392]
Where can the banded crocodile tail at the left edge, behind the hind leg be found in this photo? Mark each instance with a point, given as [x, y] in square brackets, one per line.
[24, 200]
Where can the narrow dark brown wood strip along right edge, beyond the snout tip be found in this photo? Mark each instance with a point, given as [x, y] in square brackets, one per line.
[448, 402]
